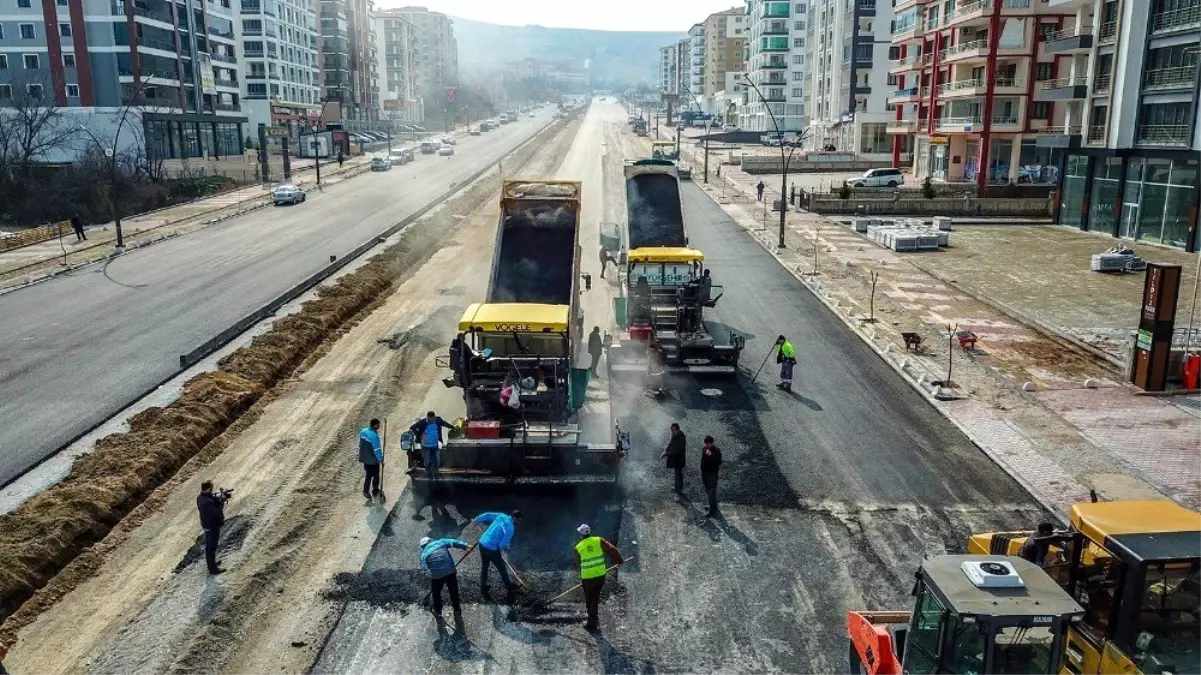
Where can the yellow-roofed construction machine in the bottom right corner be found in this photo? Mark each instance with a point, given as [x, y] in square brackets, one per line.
[1136, 566]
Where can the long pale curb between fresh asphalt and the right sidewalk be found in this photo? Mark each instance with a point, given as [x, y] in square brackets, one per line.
[904, 368]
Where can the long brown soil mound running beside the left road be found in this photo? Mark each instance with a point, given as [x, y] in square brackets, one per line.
[51, 530]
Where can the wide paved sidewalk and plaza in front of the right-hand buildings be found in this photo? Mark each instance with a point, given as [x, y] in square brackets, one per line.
[1021, 396]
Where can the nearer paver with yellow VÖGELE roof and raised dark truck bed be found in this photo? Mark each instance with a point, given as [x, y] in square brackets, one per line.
[513, 356]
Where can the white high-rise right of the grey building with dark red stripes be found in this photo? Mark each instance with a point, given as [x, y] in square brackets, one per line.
[280, 86]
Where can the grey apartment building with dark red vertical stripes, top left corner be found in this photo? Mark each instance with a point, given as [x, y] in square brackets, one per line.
[177, 62]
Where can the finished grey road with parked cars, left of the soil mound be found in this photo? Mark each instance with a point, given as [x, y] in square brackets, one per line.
[81, 348]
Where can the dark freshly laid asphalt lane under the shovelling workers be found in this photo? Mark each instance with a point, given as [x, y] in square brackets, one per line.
[830, 495]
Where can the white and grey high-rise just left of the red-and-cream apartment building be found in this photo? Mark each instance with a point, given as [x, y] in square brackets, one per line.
[849, 44]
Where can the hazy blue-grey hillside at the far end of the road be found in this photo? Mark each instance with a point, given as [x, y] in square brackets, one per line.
[623, 57]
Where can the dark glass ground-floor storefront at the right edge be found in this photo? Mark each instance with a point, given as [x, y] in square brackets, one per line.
[1136, 195]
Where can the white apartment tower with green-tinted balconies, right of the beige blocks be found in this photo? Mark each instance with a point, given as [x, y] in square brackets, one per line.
[775, 67]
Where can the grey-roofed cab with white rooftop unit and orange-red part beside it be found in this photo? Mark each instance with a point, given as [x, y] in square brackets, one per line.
[972, 614]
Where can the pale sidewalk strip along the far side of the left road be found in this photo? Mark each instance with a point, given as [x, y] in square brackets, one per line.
[31, 264]
